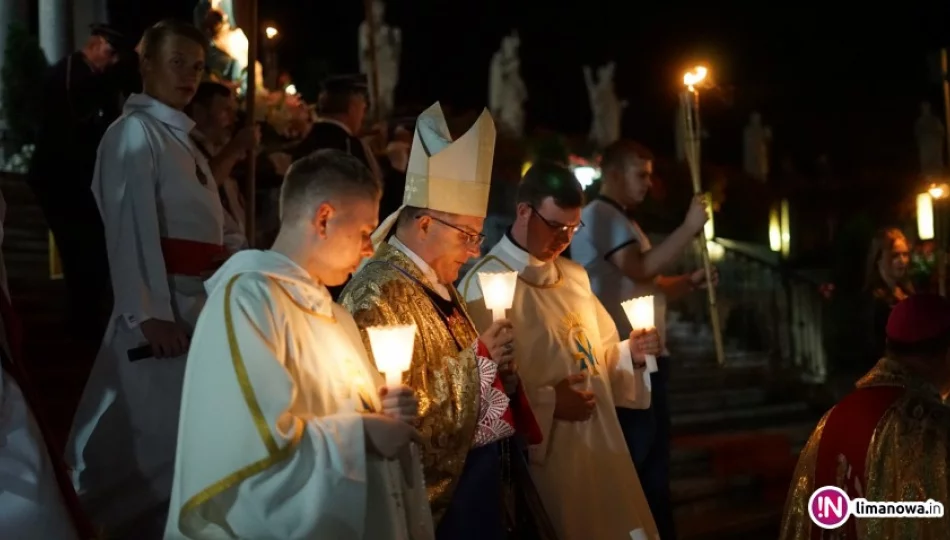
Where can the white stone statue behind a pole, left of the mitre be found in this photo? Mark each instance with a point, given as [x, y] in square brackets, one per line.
[388, 44]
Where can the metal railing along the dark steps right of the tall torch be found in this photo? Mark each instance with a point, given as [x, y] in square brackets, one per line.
[765, 307]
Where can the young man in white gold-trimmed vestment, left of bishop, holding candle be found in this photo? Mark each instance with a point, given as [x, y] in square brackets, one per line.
[283, 432]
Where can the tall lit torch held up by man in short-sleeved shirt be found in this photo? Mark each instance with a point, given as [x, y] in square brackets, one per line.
[689, 99]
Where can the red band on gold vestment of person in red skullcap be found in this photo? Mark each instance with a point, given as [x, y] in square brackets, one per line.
[848, 432]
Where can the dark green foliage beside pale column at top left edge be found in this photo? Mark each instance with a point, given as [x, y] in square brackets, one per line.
[23, 76]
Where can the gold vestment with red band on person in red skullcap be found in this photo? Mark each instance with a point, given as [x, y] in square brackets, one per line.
[886, 441]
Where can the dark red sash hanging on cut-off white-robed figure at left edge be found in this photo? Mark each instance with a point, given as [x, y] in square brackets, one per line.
[14, 332]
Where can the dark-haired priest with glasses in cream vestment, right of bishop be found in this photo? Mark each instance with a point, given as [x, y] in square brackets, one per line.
[572, 364]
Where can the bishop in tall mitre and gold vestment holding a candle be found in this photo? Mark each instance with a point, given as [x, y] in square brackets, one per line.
[466, 415]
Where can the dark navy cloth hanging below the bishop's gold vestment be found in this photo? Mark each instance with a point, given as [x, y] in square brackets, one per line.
[475, 512]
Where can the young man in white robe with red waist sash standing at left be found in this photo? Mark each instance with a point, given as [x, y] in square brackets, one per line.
[164, 233]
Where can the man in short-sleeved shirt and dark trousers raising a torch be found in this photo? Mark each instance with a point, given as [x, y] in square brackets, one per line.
[622, 264]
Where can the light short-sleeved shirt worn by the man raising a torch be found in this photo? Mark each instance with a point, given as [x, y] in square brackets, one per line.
[607, 230]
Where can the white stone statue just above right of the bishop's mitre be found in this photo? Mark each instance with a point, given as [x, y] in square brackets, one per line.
[507, 92]
